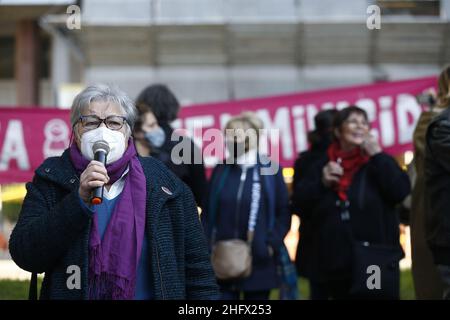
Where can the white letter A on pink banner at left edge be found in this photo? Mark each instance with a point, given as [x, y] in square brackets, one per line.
[14, 147]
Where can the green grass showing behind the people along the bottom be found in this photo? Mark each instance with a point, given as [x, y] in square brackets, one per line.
[18, 290]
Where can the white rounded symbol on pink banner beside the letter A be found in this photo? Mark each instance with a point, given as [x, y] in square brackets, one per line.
[56, 138]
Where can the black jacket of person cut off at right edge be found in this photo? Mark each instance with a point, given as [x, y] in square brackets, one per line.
[437, 187]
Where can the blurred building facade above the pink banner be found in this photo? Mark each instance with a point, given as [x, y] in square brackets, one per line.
[215, 50]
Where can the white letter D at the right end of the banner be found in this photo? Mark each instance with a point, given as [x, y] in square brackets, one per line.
[407, 105]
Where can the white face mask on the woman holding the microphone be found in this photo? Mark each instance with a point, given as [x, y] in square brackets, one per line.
[115, 140]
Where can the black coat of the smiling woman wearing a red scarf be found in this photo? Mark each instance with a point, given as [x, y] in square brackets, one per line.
[375, 190]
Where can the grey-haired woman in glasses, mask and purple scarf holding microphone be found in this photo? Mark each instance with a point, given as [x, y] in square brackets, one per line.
[143, 241]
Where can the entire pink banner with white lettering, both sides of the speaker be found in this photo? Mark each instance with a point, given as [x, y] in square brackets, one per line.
[29, 135]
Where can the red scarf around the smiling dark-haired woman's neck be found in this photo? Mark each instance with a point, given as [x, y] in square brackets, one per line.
[351, 161]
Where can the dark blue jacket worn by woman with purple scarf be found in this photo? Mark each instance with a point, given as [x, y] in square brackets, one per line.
[52, 233]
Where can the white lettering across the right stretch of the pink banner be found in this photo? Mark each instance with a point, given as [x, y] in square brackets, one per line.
[391, 129]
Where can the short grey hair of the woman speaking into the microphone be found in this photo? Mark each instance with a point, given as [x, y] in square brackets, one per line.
[103, 92]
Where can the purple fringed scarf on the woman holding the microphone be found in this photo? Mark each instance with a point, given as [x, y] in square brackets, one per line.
[113, 260]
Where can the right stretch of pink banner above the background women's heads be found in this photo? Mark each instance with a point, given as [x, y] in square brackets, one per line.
[391, 106]
